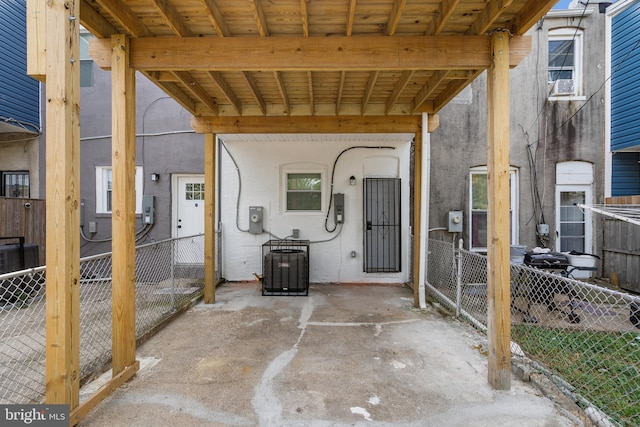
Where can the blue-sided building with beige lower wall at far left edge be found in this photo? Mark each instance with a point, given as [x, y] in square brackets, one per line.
[19, 108]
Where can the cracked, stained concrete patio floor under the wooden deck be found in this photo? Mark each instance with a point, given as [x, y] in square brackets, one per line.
[346, 355]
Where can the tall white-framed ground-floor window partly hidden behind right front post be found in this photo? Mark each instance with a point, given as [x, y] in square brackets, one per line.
[479, 204]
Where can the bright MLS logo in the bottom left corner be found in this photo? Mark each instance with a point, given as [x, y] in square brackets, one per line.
[34, 415]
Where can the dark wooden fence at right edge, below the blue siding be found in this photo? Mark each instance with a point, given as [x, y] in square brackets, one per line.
[621, 249]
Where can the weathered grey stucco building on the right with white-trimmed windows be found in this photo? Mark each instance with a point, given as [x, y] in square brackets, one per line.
[557, 140]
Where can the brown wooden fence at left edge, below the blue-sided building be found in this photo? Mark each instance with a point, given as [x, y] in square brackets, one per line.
[24, 218]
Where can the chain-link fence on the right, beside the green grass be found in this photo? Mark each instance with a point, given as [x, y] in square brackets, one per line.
[584, 337]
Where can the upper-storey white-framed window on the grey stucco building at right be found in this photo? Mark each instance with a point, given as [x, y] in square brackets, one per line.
[565, 62]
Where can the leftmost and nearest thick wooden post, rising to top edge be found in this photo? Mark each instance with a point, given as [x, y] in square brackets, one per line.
[63, 194]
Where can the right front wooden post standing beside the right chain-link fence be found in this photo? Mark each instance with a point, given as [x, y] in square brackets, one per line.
[498, 240]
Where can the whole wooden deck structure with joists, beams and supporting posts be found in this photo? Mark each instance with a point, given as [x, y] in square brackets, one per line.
[257, 66]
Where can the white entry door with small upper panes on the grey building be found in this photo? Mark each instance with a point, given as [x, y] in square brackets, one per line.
[188, 219]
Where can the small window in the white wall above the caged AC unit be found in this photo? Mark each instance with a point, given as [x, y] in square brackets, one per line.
[303, 191]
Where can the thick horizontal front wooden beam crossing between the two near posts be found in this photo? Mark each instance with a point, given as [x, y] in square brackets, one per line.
[310, 53]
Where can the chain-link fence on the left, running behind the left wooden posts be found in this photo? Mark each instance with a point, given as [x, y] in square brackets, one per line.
[169, 278]
